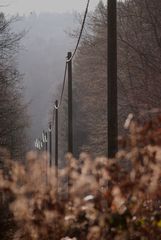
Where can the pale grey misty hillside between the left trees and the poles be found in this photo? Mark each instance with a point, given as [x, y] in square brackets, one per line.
[41, 60]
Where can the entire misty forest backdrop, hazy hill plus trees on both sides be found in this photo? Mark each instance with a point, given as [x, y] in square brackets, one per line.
[32, 56]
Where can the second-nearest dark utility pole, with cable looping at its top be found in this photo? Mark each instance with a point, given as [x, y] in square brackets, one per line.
[70, 105]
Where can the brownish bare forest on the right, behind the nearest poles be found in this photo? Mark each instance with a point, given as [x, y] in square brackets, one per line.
[139, 38]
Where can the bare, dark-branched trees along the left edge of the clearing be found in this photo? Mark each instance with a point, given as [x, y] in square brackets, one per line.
[13, 111]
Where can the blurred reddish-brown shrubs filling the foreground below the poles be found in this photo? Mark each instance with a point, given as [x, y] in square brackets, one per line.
[102, 199]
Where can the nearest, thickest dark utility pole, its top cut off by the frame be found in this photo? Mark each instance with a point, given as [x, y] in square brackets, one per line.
[112, 79]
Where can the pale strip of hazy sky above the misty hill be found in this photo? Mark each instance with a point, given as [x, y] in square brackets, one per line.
[27, 6]
